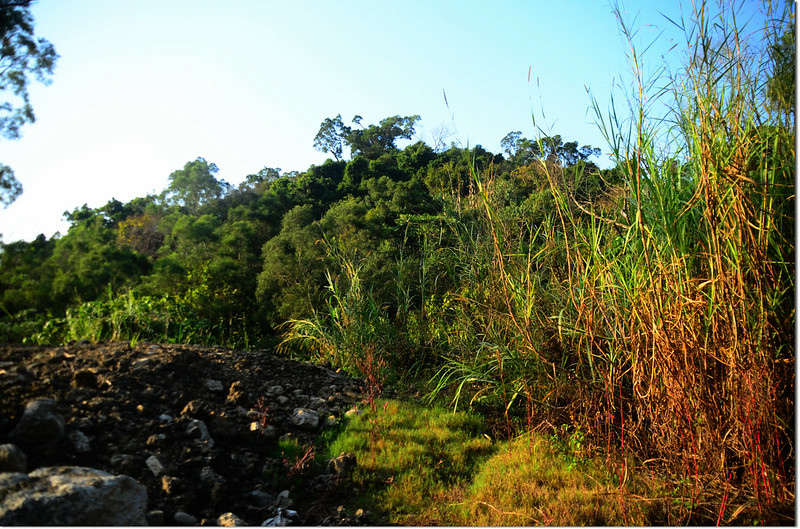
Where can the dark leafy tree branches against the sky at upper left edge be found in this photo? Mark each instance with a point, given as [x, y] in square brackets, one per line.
[21, 55]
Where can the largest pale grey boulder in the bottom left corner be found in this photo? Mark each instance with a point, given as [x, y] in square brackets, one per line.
[71, 496]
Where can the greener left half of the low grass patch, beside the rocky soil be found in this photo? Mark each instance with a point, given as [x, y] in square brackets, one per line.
[410, 458]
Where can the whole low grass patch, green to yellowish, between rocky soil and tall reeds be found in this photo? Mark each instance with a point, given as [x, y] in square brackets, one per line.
[430, 466]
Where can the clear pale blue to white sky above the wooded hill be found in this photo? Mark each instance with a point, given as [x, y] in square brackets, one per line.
[144, 86]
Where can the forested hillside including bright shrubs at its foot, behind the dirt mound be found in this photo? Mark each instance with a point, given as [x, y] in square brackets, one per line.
[207, 262]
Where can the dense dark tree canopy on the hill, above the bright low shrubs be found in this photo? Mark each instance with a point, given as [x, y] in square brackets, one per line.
[251, 253]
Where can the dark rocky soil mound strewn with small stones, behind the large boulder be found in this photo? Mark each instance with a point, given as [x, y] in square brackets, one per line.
[198, 427]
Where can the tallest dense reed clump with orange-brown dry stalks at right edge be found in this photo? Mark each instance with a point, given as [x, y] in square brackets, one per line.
[685, 316]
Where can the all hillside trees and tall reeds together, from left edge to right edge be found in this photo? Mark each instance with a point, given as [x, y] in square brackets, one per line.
[641, 316]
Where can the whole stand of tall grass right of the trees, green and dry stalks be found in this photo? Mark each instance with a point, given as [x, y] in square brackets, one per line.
[660, 320]
